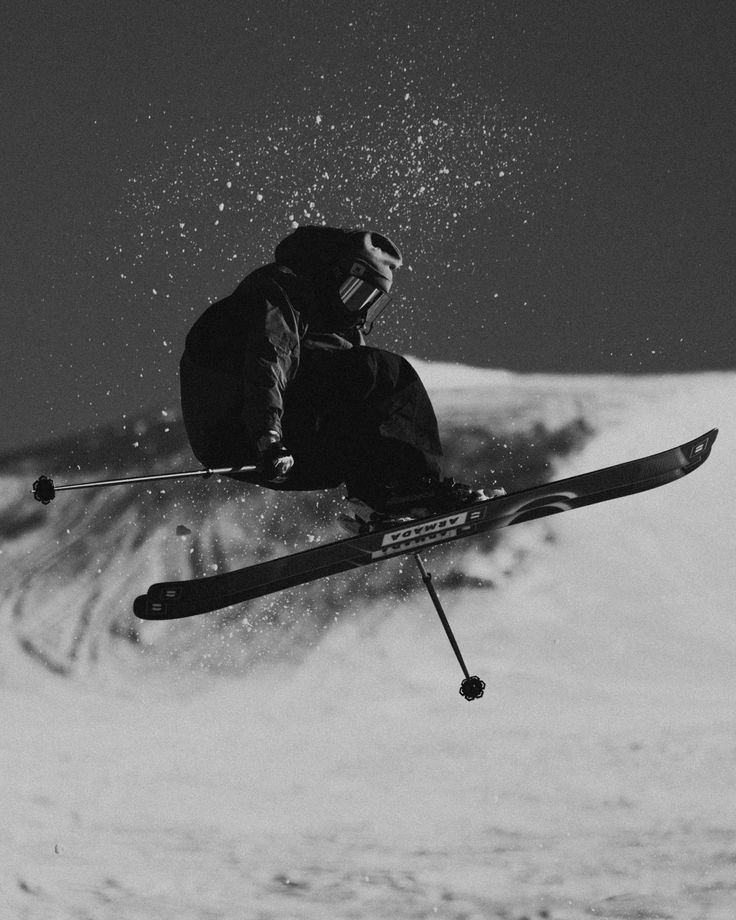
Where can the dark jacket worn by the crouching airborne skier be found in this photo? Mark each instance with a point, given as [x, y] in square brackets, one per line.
[241, 356]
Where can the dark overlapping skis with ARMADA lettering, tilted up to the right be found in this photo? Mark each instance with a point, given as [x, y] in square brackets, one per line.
[177, 599]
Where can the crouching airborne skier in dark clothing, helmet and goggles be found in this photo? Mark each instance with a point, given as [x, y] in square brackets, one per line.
[278, 375]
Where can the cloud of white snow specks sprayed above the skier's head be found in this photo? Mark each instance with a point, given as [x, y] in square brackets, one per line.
[373, 158]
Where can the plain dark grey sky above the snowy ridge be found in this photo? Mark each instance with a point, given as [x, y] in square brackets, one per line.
[559, 176]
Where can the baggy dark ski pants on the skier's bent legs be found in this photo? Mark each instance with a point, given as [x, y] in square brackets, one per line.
[358, 416]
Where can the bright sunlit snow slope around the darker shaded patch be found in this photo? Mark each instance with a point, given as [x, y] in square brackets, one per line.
[594, 779]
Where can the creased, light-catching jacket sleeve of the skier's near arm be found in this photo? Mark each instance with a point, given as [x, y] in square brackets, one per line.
[270, 355]
